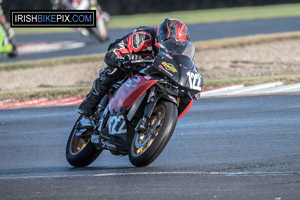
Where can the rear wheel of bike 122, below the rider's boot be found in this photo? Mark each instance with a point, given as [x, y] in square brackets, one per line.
[80, 152]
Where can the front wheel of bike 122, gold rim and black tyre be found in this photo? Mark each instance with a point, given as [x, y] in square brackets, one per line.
[147, 146]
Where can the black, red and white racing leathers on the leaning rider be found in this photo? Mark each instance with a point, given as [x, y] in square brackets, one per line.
[141, 42]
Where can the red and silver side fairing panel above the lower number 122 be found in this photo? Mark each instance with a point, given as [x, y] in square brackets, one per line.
[129, 92]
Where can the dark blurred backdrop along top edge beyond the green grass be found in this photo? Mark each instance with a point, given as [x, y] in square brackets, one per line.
[122, 7]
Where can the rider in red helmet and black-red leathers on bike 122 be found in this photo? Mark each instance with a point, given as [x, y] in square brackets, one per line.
[141, 43]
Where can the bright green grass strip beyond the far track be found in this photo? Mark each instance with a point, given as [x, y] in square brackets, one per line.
[189, 17]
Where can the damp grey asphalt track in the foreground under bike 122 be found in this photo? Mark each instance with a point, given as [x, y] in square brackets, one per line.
[224, 148]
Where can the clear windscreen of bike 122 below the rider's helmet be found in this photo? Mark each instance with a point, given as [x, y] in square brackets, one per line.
[178, 48]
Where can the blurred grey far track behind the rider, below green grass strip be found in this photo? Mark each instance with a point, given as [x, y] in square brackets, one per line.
[198, 32]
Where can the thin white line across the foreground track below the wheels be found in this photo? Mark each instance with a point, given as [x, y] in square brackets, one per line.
[274, 173]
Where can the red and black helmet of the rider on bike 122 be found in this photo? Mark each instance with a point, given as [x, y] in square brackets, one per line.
[172, 29]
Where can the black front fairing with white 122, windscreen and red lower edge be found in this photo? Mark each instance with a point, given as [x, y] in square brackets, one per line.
[175, 63]
